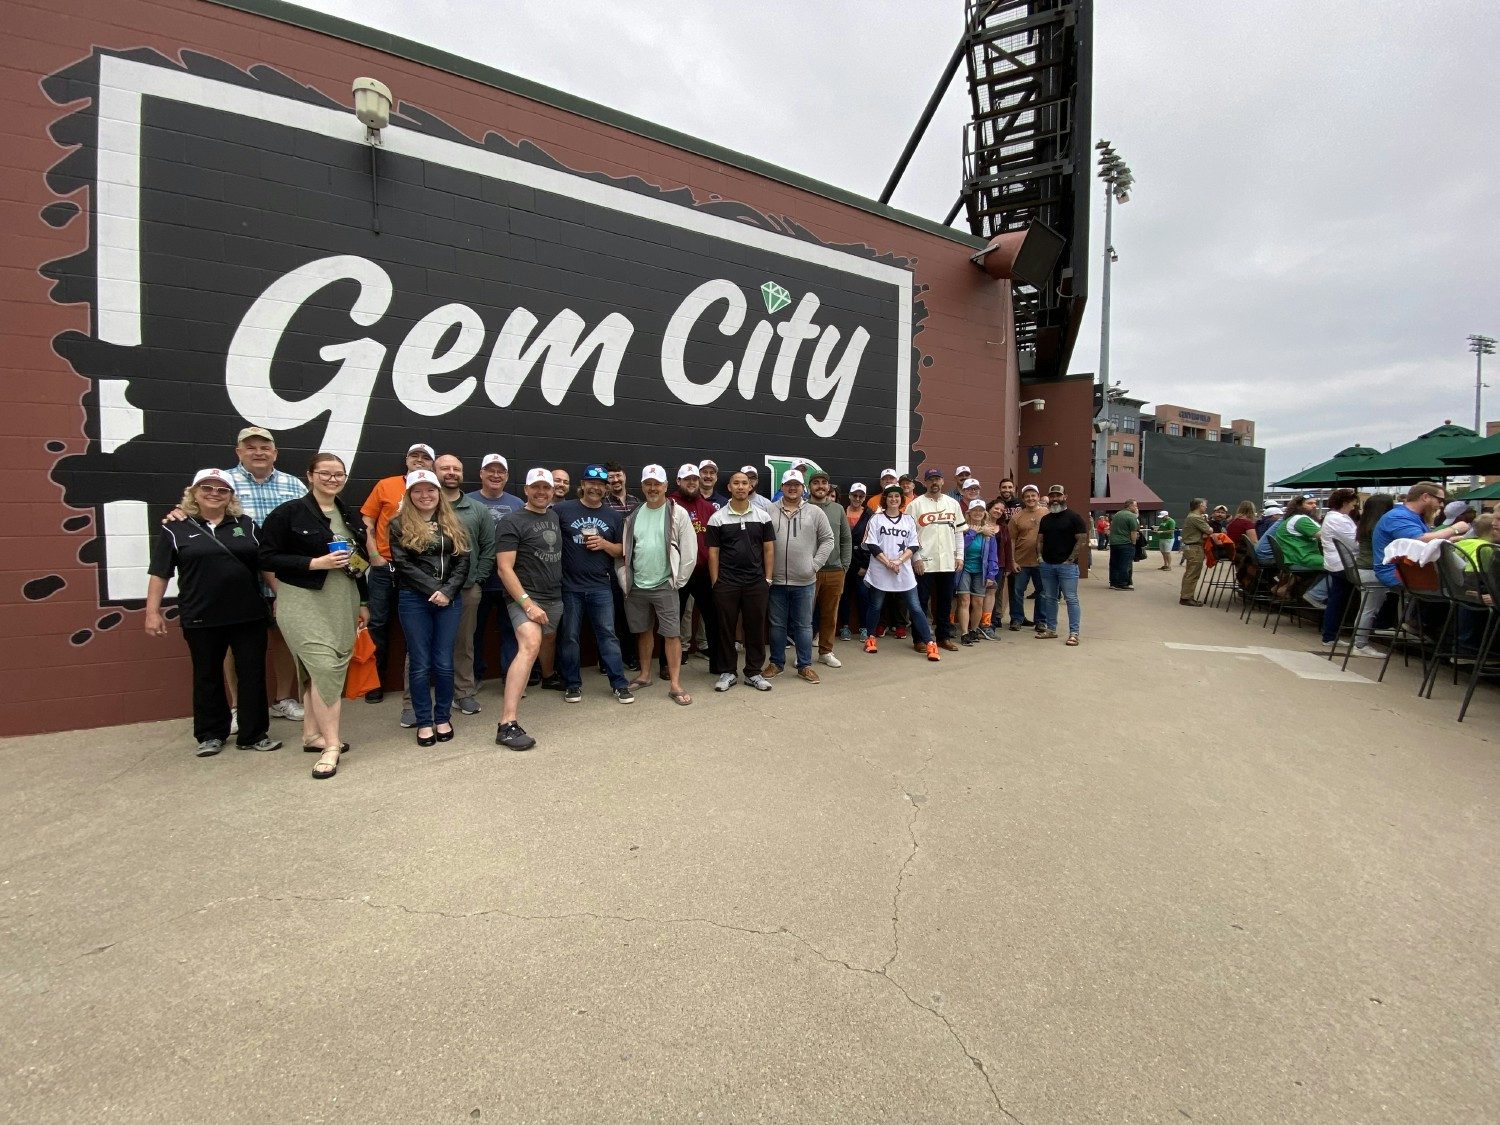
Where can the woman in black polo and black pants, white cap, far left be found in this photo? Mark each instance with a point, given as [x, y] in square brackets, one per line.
[215, 554]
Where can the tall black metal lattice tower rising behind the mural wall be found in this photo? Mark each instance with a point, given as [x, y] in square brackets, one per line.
[1028, 157]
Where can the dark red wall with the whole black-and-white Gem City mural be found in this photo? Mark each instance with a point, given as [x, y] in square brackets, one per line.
[202, 239]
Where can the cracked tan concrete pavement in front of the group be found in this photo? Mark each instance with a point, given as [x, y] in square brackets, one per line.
[1124, 883]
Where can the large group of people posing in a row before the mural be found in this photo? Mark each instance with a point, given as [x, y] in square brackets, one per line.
[272, 566]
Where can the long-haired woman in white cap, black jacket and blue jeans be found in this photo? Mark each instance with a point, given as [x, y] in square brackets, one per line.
[430, 553]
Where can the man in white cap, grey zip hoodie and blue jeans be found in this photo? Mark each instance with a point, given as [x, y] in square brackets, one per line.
[803, 544]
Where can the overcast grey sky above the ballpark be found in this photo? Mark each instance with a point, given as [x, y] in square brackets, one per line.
[1315, 227]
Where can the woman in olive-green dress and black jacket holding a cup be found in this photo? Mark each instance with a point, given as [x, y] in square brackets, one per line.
[313, 551]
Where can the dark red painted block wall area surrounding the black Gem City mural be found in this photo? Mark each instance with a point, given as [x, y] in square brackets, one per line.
[70, 661]
